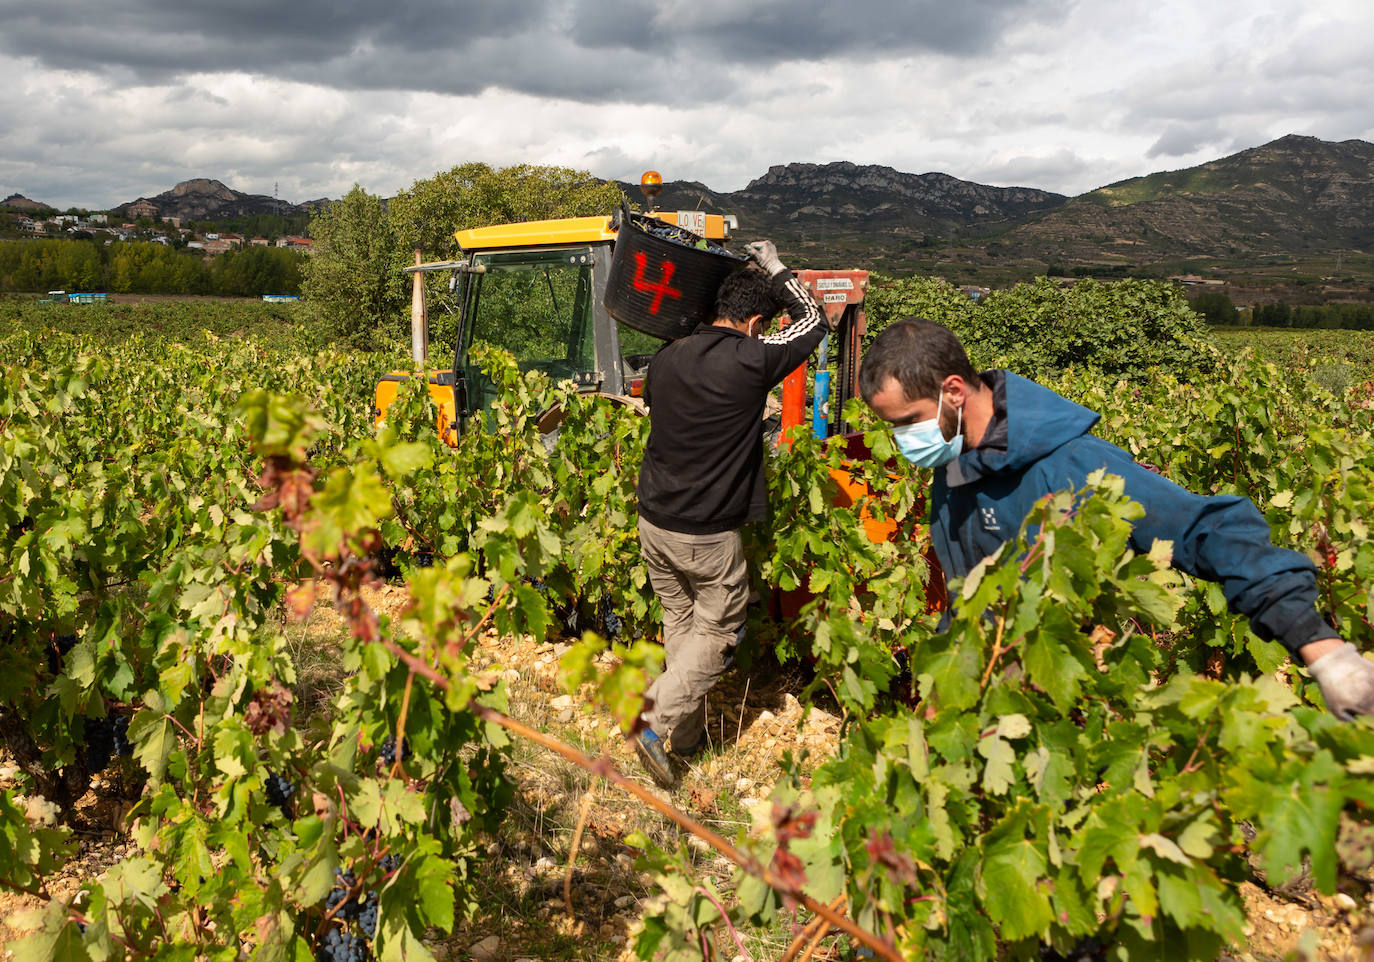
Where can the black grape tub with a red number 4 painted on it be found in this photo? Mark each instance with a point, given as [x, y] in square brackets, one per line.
[664, 278]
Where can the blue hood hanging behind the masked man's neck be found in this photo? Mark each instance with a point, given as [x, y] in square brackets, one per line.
[1038, 423]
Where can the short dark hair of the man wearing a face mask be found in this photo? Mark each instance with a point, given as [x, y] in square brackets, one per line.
[920, 354]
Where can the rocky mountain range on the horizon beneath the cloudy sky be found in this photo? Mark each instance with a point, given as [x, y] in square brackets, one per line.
[1295, 197]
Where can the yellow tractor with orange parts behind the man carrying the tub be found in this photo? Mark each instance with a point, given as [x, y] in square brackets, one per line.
[538, 289]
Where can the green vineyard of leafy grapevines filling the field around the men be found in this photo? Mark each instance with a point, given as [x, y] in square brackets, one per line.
[275, 685]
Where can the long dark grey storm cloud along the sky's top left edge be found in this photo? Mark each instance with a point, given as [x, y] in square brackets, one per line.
[587, 50]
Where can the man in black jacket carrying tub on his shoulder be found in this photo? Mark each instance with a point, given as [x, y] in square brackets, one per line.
[703, 479]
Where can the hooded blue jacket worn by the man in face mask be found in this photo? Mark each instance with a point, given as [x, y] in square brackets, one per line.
[980, 500]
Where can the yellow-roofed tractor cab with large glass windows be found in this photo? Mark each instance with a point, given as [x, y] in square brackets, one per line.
[538, 291]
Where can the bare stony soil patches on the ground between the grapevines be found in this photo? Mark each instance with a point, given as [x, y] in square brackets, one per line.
[520, 882]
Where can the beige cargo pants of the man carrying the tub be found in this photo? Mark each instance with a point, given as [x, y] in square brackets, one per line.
[703, 585]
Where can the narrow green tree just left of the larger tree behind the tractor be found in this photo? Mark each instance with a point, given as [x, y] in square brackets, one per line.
[351, 280]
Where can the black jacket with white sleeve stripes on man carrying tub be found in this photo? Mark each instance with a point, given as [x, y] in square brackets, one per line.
[704, 465]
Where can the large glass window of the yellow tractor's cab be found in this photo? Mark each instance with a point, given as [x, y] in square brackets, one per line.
[537, 306]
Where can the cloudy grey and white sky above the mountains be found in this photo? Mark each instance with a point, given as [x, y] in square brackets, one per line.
[105, 102]
